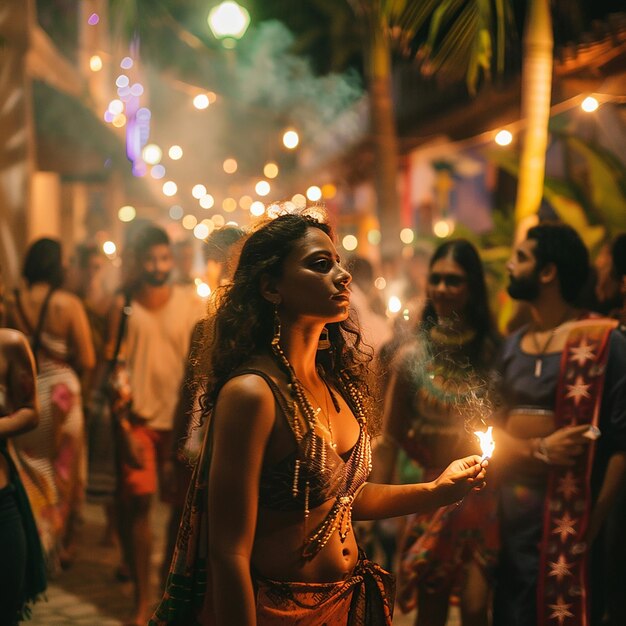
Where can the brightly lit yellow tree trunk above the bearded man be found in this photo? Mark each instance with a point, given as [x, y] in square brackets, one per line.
[536, 92]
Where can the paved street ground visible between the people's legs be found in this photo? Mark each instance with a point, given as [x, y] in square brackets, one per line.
[88, 593]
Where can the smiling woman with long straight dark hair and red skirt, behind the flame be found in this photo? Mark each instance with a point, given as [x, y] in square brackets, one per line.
[435, 400]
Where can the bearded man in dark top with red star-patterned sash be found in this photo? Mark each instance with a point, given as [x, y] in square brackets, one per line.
[563, 441]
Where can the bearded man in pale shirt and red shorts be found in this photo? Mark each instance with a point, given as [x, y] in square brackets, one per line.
[156, 342]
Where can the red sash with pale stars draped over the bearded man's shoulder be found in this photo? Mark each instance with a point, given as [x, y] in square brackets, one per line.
[562, 589]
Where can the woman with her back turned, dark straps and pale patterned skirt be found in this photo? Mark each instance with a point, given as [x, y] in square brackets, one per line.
[53, 455]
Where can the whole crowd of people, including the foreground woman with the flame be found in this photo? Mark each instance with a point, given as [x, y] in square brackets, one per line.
[284, 419]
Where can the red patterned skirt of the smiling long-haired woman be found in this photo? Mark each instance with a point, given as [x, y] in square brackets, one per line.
[438, 547]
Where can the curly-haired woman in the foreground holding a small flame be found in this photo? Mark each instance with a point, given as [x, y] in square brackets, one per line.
[266, 537]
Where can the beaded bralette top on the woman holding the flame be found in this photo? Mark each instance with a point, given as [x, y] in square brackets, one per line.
[315, 473]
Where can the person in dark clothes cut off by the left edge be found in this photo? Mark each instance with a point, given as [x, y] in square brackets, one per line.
[22, 577]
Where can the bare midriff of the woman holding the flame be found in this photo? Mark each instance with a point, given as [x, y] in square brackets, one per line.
[279, 541]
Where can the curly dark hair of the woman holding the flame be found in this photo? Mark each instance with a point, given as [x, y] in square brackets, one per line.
[243, 322]
